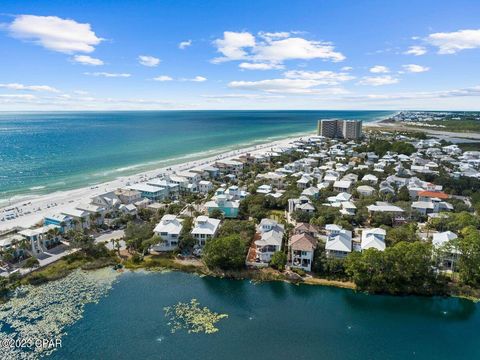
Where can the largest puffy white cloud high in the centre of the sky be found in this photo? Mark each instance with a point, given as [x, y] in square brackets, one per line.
[276, 50]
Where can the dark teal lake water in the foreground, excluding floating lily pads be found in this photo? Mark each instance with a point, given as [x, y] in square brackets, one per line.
[272, 320]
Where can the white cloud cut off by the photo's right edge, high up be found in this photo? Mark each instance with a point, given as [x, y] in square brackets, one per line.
[453, 42]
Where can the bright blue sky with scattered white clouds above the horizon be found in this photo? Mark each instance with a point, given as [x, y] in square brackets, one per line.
[101, 55]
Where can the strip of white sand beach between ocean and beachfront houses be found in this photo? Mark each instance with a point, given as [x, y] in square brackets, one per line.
[60, 201]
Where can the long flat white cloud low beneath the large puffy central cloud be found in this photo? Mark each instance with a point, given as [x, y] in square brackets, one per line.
[285, 86]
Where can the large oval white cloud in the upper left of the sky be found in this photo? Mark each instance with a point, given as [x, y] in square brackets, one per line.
[54, 33]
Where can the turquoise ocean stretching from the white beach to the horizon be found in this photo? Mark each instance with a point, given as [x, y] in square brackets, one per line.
[44, 152]
